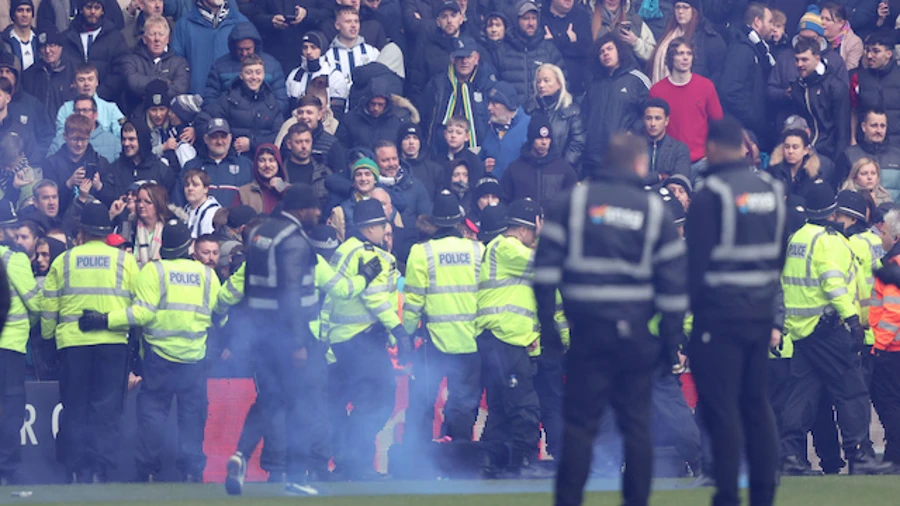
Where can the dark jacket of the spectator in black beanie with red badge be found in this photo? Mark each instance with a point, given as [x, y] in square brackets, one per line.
[541, 179]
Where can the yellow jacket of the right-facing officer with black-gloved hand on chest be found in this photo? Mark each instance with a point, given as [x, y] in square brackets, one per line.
[377, 304]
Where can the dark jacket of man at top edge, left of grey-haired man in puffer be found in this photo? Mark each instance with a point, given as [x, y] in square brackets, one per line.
[106, 52]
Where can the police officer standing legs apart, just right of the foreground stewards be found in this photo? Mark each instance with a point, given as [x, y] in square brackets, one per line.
[822, 319]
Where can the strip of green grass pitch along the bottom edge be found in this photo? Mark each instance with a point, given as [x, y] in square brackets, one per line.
[819, 491]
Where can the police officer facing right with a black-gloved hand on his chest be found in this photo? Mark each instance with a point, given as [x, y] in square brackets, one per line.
[358, 330]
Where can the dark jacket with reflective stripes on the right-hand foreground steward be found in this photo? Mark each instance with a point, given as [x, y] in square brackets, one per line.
[735, 240]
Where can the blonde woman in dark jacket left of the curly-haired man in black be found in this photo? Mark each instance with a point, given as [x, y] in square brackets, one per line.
[553, 98]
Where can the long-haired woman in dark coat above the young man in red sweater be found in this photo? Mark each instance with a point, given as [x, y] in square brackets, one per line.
[689, 23]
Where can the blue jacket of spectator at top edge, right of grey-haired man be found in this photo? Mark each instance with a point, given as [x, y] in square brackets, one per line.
[196, 40]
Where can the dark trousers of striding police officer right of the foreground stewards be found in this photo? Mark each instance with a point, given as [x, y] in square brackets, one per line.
[825, 364]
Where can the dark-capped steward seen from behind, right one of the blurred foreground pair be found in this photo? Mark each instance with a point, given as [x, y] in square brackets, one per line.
[735, 236]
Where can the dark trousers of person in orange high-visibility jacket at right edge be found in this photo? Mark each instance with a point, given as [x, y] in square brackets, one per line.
[886, 396]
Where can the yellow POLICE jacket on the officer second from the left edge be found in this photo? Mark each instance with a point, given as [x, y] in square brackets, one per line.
[93, 277]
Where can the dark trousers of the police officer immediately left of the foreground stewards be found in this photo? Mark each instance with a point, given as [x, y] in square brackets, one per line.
[513, 408]
